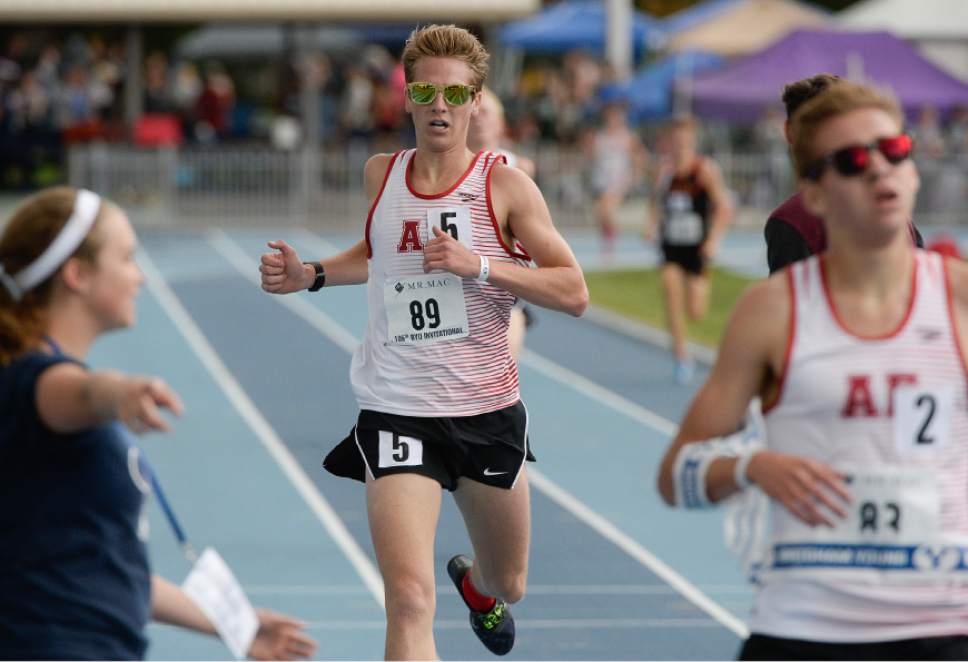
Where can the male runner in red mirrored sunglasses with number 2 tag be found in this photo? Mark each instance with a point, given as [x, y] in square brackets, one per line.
[859, 357]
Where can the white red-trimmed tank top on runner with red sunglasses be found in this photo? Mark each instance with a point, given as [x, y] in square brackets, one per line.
[891, 413]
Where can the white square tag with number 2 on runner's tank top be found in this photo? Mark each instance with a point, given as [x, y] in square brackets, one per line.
[922, 418]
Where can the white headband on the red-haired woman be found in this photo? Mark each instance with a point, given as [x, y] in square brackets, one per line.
[70, 237]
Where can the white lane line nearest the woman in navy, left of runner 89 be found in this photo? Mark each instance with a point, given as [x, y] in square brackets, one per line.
[257, 422]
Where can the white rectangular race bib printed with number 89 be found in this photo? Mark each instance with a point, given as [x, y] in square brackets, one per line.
[425, 309]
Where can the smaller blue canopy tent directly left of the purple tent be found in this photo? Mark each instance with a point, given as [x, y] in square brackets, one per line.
[649, 94]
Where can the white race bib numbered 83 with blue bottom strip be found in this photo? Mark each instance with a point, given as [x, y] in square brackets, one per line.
[892, 524]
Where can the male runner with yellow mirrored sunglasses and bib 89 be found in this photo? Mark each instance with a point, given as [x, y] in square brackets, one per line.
[445, 253]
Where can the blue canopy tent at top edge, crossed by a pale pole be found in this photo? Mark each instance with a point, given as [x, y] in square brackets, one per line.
[576, 24]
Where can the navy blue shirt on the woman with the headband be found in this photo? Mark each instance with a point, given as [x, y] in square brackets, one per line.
[74, 576]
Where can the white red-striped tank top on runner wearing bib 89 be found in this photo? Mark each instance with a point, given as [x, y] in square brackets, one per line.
[435, 344]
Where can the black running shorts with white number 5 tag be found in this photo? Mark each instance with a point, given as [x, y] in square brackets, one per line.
[489, 448]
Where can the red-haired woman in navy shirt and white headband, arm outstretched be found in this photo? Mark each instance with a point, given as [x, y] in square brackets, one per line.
[74, 574]
